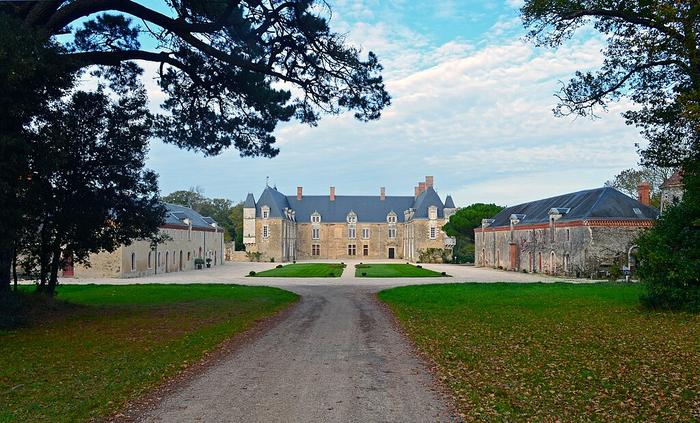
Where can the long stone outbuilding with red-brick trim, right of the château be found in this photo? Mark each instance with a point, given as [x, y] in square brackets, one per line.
[578, 234]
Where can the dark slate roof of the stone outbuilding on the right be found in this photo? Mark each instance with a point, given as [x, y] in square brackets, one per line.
[598, 203]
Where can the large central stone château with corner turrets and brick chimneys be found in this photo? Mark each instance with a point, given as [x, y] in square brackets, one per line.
[299, 227]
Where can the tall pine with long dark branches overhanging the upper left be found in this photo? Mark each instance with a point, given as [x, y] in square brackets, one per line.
[230, 71]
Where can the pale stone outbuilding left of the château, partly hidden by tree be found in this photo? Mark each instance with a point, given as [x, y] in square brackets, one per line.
[191, 236]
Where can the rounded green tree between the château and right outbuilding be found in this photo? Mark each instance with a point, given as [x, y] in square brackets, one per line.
[461, 226]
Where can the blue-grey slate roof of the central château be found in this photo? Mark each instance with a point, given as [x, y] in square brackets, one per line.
[368, 208]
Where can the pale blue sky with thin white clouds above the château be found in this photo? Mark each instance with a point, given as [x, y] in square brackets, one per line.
[471, 105]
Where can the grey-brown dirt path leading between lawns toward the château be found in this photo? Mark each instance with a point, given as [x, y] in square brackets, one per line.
[336, 357]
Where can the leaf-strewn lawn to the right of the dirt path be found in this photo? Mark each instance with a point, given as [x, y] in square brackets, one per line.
[555, 352]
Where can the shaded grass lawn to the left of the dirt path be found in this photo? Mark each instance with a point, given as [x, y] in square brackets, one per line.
[111, 344]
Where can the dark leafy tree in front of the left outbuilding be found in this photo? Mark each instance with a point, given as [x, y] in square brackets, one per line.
[88, 187]
